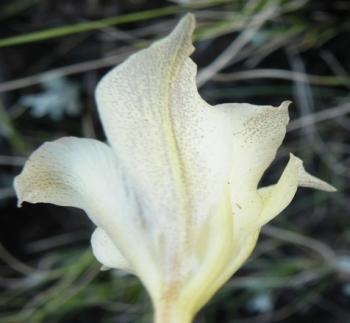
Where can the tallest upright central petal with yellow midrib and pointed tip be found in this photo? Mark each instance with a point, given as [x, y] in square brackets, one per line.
[172, 144]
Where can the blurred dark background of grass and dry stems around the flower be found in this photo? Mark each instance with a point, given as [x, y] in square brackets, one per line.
[52, 54]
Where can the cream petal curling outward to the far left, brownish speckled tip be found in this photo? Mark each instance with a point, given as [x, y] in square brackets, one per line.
[84, 173]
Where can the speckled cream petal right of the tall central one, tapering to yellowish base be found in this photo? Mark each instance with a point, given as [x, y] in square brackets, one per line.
[258, 131]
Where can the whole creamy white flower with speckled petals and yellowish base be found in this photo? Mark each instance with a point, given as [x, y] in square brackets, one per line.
[174, 195]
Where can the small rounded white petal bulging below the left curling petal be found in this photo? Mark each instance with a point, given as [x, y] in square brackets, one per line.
[106, 252]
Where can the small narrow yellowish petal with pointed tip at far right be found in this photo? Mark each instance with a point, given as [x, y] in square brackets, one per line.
[277, 197]
